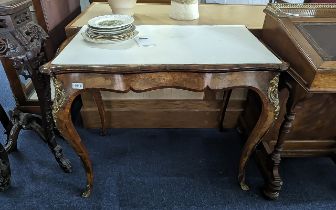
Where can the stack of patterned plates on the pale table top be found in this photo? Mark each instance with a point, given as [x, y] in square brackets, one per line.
[110, 29]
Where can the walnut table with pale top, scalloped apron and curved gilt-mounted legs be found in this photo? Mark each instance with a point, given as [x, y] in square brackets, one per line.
[235, 58]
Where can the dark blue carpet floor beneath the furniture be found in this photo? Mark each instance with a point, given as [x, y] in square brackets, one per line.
[157, 169]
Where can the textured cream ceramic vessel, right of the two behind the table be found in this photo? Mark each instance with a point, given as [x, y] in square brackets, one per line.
[184, 9]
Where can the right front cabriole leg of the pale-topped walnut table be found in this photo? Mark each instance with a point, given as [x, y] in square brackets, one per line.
[270, 111]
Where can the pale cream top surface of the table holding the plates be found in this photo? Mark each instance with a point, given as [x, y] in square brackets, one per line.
[173, 45]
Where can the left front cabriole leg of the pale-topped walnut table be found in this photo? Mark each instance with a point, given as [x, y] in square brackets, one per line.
[62, 117]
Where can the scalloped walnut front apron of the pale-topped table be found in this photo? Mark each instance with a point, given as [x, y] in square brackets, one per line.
[141, 82]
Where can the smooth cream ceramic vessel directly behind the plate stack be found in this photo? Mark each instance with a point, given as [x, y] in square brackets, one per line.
[124, 7]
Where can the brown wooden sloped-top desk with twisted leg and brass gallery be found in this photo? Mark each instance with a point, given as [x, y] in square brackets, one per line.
[303, 36]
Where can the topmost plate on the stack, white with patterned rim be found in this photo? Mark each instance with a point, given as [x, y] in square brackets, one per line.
[110, 21]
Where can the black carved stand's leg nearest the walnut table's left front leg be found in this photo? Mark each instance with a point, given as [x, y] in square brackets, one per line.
[42, 86]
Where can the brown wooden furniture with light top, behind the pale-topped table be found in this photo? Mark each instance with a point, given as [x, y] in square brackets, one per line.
[177, 108]
